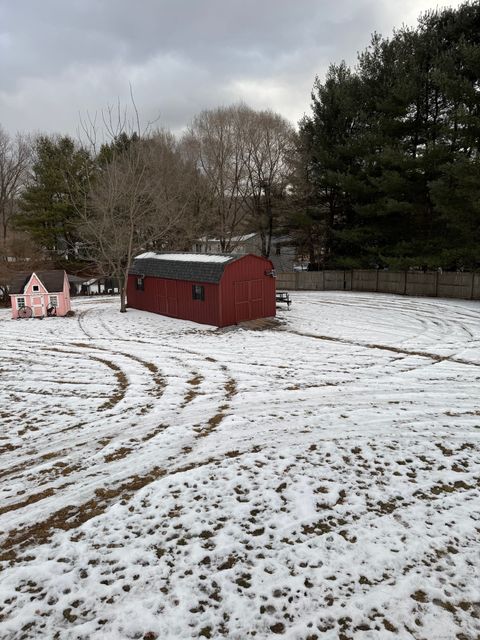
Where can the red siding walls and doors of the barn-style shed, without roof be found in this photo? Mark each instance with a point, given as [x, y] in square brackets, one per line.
[244, 293]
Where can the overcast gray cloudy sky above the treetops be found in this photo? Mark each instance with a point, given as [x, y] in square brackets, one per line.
[60, 59]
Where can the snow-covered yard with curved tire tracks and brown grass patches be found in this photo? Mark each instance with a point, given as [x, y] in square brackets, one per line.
[319, 479]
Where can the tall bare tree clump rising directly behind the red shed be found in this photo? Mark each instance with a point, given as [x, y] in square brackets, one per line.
[245, 158]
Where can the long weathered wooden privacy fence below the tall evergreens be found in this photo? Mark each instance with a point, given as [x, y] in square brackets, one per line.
[411, 283]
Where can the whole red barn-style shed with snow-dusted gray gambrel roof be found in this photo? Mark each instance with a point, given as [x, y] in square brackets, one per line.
[211, 289]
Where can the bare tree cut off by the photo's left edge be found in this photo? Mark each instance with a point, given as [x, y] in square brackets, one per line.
[15, 158]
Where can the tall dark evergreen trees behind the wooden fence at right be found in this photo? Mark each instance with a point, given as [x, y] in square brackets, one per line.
[389, 168]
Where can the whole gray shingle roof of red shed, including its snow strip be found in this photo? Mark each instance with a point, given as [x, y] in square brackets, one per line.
[195, 267]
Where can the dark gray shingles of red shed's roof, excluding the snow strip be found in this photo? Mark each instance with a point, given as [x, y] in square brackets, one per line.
[190, 269]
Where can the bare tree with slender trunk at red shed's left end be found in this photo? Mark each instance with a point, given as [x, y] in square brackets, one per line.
[134, 202]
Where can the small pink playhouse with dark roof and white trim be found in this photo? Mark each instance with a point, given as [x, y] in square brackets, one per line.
[39, 294]
